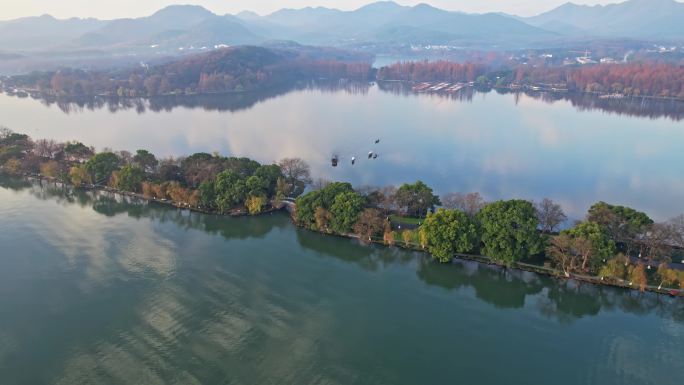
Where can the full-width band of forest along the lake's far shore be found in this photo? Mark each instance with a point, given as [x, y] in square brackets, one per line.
[248, 68]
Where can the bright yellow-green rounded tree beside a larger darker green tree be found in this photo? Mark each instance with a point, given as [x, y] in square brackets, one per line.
[449, 232]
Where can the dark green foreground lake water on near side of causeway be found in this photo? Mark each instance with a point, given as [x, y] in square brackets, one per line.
[98, 289]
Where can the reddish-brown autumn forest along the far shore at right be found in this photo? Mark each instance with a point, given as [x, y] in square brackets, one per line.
[638, 79]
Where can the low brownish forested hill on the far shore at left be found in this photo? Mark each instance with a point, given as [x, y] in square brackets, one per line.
[235, 69]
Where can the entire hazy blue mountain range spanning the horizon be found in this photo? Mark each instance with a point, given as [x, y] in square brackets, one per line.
[186, 27]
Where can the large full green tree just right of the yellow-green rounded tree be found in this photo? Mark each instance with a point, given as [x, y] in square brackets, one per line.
[509, 230]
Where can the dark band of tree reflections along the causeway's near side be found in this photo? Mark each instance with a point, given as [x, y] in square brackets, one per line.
[566, 301]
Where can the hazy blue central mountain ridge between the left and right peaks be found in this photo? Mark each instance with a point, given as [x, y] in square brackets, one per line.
[386, 22]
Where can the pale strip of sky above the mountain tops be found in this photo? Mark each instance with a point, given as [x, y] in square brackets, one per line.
[112, 9]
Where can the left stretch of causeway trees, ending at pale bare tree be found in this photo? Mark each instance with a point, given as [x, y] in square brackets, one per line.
[206, 182]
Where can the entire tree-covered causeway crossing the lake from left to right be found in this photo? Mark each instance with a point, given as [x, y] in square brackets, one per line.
[613, 245]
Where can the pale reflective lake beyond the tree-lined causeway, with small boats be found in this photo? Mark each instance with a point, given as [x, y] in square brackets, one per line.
[575, 150]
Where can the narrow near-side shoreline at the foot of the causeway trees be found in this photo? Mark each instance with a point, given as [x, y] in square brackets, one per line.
[520, 266]
